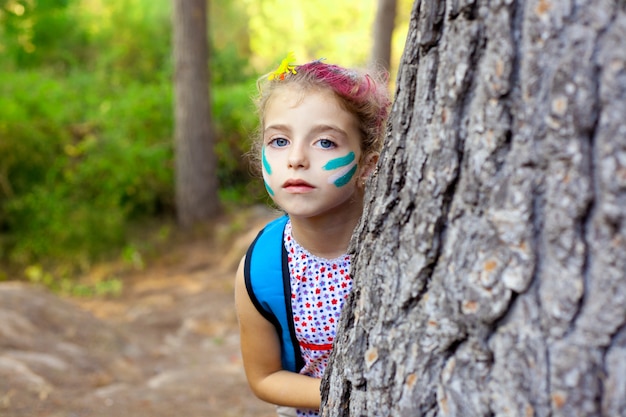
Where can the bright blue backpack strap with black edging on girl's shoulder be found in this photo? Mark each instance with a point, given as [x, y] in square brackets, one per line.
[266, 273]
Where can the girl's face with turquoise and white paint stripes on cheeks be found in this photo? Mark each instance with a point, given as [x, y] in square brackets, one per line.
[311, 153]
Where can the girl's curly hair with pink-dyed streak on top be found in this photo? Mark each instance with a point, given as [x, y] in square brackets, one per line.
[364, 94]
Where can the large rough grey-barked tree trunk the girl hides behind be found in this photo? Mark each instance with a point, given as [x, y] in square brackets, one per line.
[490, 267]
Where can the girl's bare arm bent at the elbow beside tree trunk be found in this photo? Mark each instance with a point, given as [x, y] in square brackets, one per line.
[260, 349]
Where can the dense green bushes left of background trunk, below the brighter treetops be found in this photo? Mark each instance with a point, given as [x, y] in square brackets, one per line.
[76, 171]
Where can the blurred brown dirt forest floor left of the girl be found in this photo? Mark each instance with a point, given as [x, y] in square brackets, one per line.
[167, 346]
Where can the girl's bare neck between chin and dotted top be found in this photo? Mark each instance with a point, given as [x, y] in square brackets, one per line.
[326, 236]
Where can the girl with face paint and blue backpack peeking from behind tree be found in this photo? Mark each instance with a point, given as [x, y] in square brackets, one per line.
[321, 132]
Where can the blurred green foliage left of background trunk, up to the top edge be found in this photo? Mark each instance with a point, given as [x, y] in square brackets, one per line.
[86, 127]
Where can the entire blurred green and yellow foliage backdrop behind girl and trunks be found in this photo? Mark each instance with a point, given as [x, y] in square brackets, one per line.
[86, 128]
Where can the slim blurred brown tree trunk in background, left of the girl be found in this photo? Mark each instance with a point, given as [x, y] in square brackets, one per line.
[196, 177]
